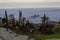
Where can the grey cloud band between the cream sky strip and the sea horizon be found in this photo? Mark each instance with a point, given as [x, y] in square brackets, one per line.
[31, 5]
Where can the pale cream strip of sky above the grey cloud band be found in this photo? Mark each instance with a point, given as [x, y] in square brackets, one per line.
[29, 1]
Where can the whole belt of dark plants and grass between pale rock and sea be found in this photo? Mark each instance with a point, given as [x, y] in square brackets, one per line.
[42, 31]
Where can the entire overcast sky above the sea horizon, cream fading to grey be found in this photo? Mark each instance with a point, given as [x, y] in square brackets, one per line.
[29, 4]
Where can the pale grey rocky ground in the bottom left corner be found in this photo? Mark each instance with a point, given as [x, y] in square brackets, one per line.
[9, 35]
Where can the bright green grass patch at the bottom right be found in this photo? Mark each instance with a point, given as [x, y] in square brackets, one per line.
[45, 37]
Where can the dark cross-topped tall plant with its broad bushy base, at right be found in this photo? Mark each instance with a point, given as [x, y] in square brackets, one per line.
[45, 27]
